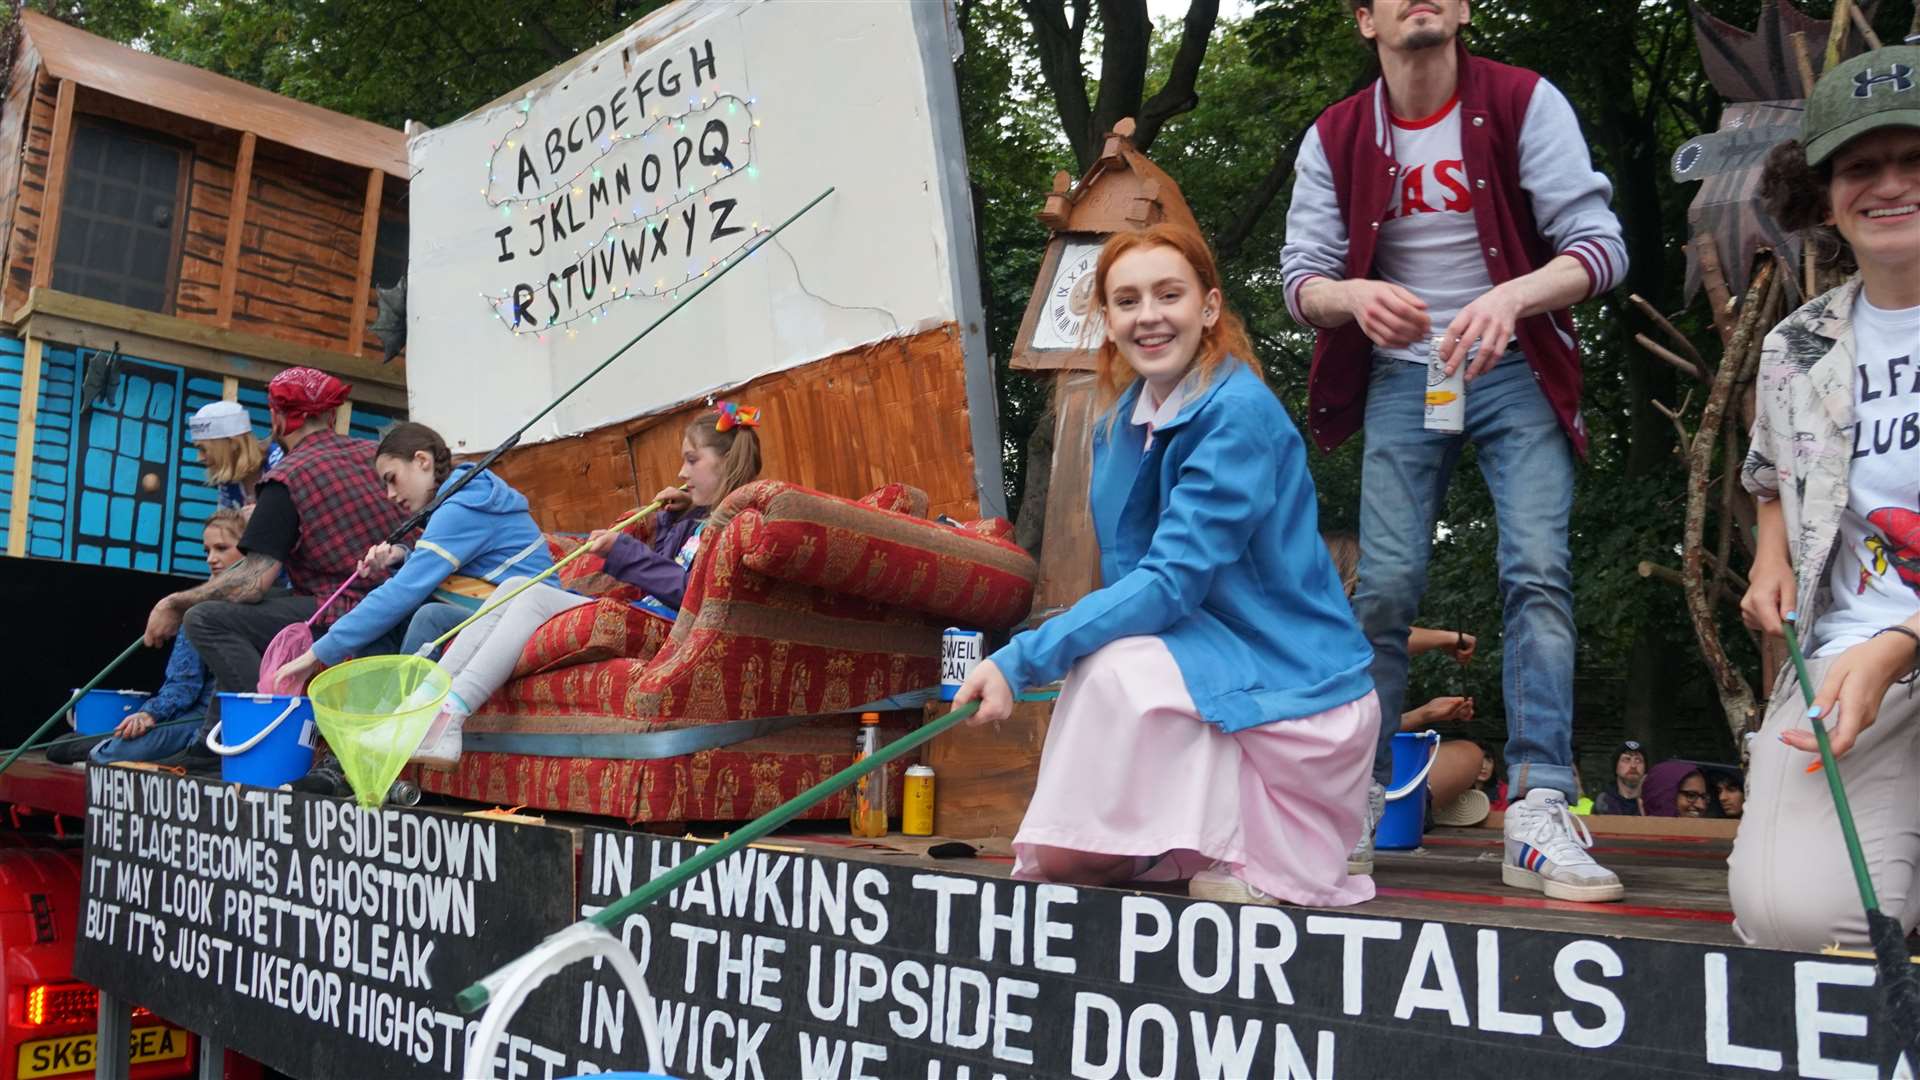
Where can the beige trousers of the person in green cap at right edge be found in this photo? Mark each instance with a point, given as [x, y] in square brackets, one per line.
[1790, 879]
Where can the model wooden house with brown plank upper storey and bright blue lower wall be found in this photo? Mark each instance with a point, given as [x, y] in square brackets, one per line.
[170, 237]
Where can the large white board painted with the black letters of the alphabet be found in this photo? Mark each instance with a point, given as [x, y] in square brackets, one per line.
[550, 228]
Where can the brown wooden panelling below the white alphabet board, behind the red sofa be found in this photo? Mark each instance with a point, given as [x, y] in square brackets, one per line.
[894, 412]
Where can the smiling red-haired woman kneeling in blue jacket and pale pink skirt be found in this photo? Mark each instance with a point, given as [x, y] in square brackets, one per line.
[1216, 722]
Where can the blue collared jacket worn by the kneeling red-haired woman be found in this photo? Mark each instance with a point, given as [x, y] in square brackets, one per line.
[1211, 541]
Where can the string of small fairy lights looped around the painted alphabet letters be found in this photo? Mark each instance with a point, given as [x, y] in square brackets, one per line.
[598, 172]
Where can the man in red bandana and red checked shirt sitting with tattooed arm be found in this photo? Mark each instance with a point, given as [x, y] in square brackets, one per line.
[316, 518]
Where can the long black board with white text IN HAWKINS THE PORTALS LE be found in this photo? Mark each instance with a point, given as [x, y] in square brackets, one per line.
[796, 966]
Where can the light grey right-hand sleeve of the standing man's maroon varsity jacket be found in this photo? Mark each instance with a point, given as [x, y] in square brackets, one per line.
[1568, 195]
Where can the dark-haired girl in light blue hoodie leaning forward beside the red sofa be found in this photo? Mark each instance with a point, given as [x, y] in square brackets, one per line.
[483, 533]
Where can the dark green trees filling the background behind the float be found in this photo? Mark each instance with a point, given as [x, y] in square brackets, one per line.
[1631, 70]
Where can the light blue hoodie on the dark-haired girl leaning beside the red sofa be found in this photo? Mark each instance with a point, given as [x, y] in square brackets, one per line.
[483, 531]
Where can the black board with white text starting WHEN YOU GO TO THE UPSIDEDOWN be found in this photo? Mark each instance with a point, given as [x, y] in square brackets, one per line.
[302, 931]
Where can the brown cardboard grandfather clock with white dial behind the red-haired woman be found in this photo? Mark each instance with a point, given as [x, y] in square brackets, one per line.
[986, 775]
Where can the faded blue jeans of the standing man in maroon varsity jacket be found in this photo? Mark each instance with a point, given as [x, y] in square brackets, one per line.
[1527, 462]
